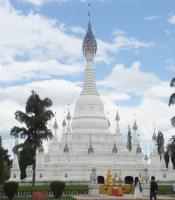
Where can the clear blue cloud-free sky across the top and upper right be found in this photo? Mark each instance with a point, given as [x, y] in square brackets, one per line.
[146, 20]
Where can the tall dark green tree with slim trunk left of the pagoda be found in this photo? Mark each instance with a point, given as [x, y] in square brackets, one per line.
[35, 128]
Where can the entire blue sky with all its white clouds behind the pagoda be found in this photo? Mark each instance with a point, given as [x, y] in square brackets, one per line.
[40, 49]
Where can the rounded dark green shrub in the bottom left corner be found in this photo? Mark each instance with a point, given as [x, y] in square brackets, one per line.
[10, 189]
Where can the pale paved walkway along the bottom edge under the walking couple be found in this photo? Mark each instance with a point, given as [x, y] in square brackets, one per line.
[125, 197]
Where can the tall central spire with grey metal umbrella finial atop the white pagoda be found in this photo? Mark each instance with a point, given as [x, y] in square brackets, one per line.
[89, 48]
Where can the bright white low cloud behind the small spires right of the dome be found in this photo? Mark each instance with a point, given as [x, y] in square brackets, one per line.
[149, 111]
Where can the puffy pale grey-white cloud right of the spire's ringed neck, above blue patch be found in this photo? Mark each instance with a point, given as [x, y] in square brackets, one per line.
[130, 79]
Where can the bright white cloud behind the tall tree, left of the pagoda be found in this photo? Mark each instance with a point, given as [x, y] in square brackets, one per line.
[13, 98]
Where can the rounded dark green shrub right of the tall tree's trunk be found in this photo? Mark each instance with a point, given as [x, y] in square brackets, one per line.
[57, 188]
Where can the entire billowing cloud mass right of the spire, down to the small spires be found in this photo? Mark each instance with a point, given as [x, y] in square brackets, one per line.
[152, 106]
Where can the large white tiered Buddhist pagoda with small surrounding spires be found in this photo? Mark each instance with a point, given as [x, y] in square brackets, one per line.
[87, 148]
